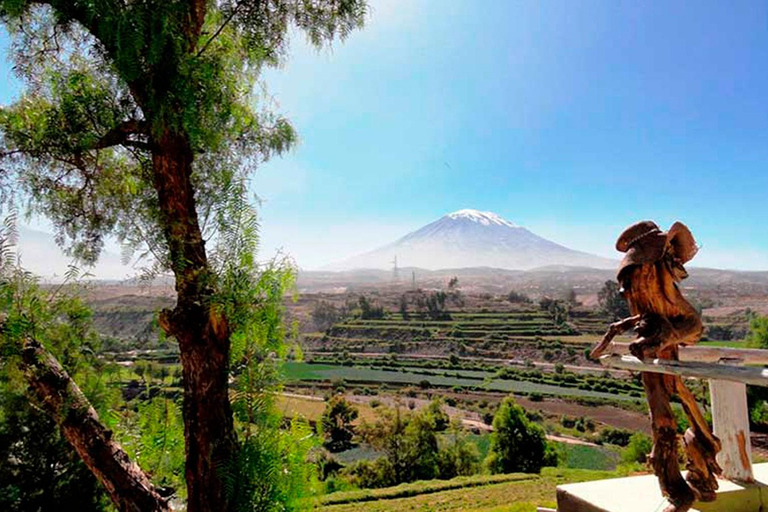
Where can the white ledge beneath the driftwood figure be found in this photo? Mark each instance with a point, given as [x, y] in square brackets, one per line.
[642, 494]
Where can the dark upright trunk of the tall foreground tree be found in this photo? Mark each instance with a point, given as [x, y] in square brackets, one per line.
[201, 331]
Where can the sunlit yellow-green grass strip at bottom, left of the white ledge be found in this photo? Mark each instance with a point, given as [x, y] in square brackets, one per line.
[510, 496]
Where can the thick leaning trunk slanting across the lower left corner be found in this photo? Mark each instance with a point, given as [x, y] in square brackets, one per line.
[127, 485]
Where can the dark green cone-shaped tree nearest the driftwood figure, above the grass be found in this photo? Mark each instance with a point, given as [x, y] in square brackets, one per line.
[517, 444]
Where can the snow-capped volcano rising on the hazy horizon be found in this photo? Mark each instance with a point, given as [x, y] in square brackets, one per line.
[472, 238]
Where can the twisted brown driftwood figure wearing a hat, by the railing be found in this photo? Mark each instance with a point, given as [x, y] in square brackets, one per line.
[664, 320]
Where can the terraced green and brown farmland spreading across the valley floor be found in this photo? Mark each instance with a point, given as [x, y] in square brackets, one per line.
[403, 352]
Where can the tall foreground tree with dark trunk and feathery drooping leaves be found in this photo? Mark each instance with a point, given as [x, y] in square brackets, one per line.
[139, 122]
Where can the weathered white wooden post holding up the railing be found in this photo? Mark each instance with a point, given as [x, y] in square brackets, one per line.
[730, 420]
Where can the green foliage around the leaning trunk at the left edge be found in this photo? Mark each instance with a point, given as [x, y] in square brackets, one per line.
[38, 467]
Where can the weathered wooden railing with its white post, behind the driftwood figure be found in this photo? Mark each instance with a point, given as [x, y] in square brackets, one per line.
[724, 369]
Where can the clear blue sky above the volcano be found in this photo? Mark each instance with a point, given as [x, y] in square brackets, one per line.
[572, 119]
